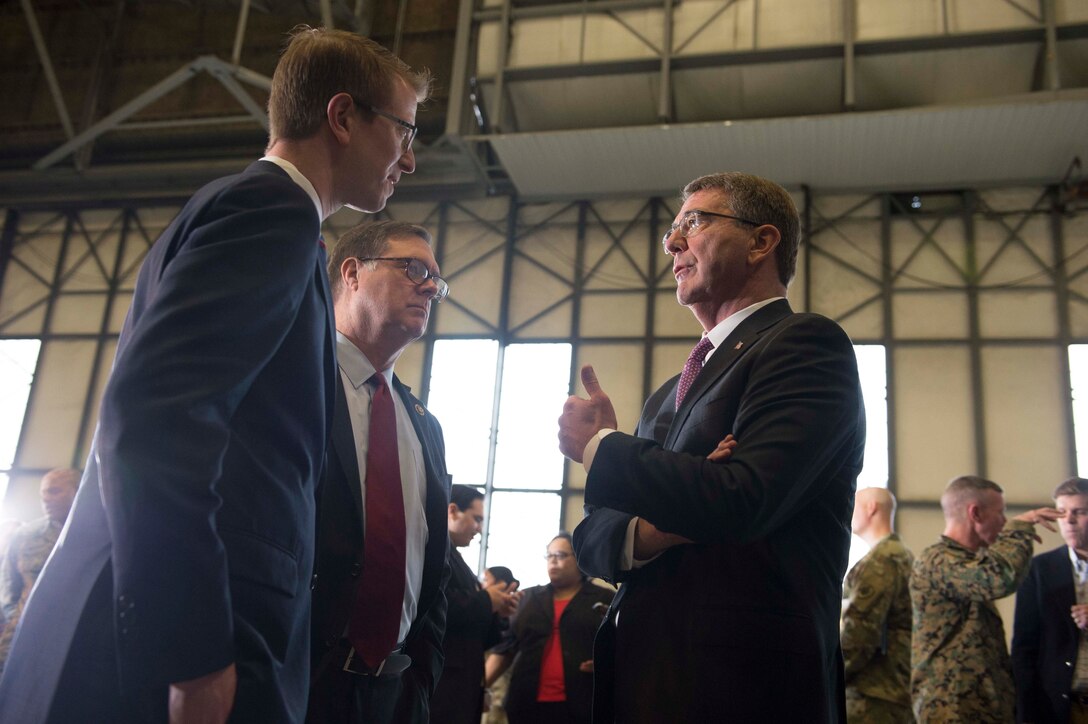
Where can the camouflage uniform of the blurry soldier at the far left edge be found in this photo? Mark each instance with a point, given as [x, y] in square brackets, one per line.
[22, 563]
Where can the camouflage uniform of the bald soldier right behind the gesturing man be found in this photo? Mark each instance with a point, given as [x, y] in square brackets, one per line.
[876, 635]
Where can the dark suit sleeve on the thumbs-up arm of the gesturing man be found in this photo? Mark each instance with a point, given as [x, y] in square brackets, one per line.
[799, 414]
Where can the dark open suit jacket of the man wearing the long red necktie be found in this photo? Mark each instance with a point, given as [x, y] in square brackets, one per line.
[341, 555]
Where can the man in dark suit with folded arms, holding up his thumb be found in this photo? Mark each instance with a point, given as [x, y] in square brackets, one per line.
[733, 571]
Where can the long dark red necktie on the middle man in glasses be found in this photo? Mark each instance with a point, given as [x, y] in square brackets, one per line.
[380, 595]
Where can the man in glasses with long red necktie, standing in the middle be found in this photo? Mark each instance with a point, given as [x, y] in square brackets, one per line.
[379, 606]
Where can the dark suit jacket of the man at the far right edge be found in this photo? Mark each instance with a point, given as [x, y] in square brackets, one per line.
[1045, 640]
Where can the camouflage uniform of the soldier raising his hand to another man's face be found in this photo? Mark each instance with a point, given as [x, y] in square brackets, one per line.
[959, 658]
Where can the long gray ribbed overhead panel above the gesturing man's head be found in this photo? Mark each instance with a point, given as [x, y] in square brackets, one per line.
[919, 150]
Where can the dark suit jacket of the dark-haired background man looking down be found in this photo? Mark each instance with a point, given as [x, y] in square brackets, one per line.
[472, 629]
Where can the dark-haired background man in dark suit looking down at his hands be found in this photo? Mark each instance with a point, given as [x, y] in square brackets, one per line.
[476, 619]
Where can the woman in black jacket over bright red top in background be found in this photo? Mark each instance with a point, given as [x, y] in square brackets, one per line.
[551, 644]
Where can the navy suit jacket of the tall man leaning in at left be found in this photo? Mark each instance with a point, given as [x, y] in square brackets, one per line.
[191, 542]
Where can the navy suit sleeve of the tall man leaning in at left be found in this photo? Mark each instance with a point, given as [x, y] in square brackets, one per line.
[221, 309]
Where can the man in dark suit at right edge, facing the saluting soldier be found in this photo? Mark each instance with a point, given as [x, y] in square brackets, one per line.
[1050, 646]
